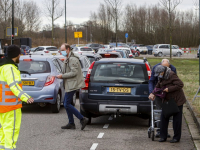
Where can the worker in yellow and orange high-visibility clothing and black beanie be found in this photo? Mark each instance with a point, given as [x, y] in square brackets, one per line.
[11, 97]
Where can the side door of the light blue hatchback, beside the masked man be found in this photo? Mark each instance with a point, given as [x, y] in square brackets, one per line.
[58, 65]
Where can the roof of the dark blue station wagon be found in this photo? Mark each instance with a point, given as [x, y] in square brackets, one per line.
[106, 60]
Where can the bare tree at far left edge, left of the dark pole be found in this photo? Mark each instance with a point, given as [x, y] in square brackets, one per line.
[5, 6]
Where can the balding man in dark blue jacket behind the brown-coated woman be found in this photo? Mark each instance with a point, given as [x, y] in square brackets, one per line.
[152, 83]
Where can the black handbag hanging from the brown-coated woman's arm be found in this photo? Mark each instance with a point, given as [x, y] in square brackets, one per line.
[169, 108]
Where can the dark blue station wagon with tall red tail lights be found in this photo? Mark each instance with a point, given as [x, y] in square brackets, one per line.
[116, 86]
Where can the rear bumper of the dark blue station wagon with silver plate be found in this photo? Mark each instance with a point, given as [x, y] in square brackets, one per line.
[102, 107]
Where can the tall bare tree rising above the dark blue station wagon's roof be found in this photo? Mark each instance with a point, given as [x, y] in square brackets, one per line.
[115, 6]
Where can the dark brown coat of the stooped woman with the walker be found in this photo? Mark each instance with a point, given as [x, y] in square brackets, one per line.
[174, 85]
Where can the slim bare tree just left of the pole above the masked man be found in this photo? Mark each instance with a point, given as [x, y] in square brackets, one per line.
[54, 12]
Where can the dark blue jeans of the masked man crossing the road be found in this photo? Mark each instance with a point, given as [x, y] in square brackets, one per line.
[71, 110]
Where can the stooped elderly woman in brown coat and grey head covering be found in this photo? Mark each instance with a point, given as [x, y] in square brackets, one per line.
[173, 86]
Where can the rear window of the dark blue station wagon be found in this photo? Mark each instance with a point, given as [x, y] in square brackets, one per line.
[119, 72]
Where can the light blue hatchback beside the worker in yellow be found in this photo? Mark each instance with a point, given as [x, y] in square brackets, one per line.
[38, 74]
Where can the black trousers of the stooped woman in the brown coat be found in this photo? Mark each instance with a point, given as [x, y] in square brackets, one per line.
[177, 123]
